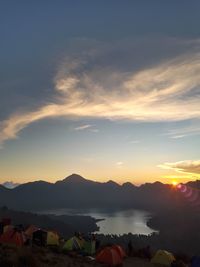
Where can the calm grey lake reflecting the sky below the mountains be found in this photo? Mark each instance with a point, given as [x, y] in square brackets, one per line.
[116, 221]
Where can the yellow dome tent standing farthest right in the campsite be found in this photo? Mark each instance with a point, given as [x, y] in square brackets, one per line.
[163, 257]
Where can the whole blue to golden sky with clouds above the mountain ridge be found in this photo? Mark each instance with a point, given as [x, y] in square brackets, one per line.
[105, 89]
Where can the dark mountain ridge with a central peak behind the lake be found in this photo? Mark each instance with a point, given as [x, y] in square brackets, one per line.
[77, 192]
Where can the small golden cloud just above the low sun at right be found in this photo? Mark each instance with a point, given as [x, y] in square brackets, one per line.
[187, 166]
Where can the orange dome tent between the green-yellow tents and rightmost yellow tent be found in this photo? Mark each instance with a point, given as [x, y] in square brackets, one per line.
[109, 256]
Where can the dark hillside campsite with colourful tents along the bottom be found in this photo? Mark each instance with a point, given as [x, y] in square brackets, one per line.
[32, 246]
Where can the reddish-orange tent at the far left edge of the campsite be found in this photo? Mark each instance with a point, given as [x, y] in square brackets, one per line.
[12, 237]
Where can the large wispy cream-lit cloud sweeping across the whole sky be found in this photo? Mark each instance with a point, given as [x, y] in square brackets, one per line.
[87, 88]
